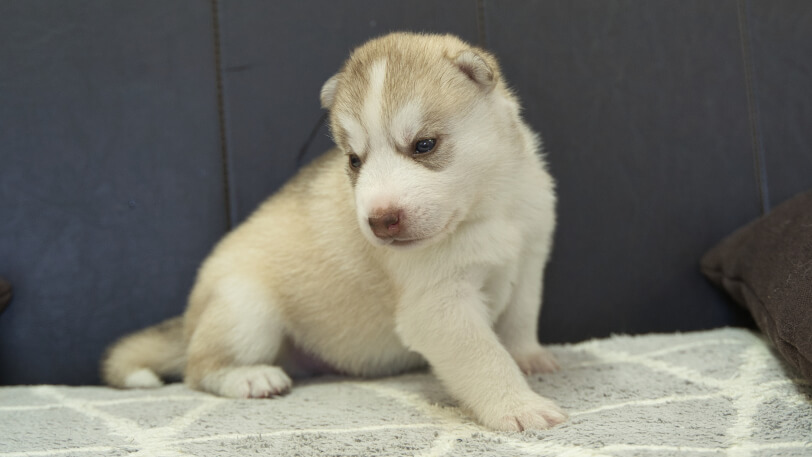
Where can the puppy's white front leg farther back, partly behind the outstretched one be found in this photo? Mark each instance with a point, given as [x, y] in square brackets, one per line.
[517, 327]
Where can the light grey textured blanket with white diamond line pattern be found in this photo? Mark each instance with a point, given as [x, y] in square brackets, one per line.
[721, 392]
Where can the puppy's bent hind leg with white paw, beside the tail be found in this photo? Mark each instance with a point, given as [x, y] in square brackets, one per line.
[234, 344]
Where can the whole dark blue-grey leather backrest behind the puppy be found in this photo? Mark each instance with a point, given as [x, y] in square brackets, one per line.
[133, 134]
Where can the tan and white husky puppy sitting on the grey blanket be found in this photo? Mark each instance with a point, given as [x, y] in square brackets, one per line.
[421, 239]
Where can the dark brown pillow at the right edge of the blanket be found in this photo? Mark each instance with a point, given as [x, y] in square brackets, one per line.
[766, 266]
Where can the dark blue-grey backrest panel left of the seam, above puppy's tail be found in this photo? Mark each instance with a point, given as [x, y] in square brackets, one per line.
[110, 174]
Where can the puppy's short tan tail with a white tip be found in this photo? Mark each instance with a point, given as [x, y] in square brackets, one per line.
[141, 359]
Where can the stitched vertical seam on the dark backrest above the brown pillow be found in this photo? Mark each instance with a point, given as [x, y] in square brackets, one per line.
[743, 12]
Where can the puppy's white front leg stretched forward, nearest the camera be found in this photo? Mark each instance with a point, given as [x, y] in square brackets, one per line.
[449, 327]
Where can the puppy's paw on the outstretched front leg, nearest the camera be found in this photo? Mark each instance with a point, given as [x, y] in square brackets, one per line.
[531, 412]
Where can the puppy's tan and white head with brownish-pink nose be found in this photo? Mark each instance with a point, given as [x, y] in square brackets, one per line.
[422, 121]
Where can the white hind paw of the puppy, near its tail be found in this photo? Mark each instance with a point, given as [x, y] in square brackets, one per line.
[257, 381]
